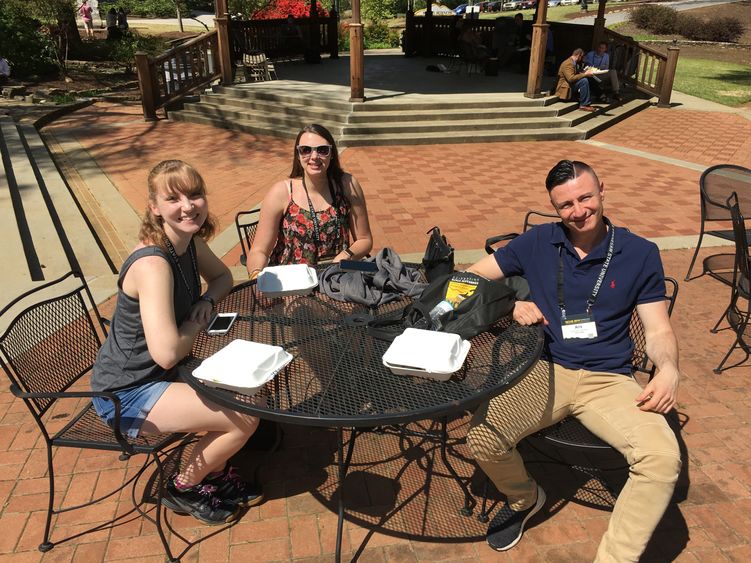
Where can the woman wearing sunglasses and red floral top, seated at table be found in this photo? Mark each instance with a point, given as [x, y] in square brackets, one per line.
[318, 214]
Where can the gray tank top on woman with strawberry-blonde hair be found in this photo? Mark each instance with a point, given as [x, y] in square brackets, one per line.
[124, 360]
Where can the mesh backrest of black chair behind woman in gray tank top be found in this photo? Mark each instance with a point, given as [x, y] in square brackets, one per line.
[54, 339]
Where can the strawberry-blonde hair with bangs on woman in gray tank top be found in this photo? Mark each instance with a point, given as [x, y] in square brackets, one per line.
[172, 176]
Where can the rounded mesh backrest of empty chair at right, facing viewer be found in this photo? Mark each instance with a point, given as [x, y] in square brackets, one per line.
[717, 183]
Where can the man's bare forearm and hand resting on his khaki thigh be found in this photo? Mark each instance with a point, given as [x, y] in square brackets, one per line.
[659, 395]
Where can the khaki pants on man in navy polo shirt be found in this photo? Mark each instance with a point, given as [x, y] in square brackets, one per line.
[604, 403]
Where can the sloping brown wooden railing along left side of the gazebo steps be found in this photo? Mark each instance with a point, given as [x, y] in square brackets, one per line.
[177, 72]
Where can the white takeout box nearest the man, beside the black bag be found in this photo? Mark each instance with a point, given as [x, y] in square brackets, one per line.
[426, 353]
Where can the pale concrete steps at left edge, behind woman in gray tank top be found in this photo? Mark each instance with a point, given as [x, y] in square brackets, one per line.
[44, 233]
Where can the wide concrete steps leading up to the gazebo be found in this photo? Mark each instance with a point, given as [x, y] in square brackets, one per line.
[277, 109]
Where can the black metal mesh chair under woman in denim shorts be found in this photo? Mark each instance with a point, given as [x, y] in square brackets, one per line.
[53, 334]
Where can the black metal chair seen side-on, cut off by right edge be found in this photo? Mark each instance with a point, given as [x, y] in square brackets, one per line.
[737, 316]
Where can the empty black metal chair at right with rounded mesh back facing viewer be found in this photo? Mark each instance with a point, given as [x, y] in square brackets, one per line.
[715, 186]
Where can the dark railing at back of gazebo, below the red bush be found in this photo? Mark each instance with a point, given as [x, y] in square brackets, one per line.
[276, 39]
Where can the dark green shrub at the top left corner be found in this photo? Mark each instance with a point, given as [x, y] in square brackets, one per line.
[28, 50]
